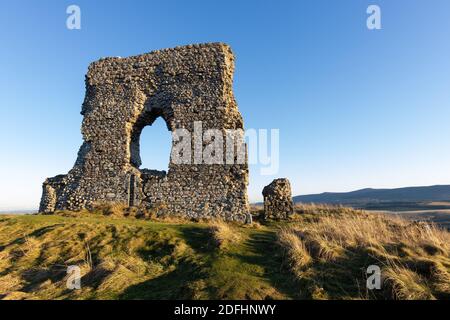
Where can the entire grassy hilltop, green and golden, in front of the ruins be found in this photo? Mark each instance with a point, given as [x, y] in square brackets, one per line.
[321, 253]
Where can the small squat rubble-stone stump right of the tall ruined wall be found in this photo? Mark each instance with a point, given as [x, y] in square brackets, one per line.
[278, 202]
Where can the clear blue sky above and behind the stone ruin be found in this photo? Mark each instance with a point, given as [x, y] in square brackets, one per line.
[355, 108]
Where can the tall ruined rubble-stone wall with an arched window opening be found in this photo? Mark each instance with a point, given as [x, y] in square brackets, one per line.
[123, 95]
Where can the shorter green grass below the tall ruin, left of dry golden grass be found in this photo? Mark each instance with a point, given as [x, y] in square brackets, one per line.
[135, 259]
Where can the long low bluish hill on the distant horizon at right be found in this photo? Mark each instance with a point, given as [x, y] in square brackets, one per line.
[370, 197]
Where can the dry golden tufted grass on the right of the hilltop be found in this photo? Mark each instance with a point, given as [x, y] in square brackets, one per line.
[414, 256]
